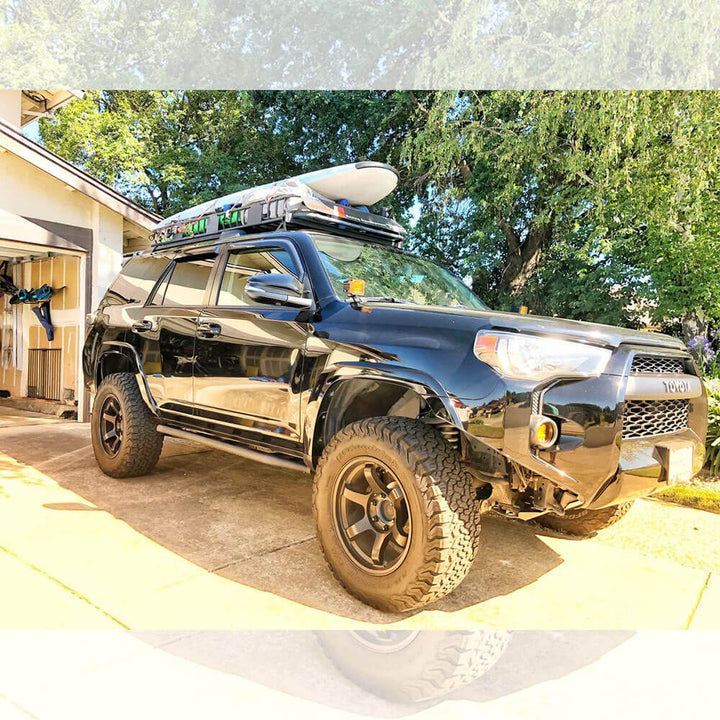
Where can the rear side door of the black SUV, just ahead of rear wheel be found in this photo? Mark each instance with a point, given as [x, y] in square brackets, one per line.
[164, 333]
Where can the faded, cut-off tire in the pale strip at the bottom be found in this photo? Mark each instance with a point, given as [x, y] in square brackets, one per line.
[432, 664]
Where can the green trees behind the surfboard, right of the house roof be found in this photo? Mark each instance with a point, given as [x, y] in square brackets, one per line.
[170, 149]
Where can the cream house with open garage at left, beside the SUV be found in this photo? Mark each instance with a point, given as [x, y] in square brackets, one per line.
[61, 227]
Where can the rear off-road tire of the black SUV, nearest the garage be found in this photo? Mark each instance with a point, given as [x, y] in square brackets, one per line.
[141, 443]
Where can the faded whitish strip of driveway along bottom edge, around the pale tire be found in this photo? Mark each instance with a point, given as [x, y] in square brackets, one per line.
[228, 675]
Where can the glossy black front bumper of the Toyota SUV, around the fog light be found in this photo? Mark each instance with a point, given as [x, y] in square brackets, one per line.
[592, 461]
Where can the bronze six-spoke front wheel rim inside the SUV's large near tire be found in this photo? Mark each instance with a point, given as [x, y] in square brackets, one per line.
[371, 515]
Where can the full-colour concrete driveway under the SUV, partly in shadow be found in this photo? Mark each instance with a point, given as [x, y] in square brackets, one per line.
[209, 540]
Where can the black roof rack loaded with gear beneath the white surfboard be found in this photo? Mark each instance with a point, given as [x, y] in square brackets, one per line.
[292, 210]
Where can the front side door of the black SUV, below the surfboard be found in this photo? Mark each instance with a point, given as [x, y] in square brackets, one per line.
[249, 355]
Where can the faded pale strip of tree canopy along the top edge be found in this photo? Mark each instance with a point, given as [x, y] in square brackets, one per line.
[359, 43]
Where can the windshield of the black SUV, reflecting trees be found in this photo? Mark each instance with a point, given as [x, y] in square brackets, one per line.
[391, 273]
